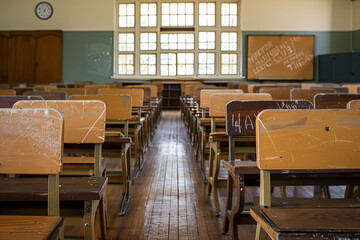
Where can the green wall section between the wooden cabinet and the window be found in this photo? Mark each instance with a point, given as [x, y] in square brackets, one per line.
[87, 56]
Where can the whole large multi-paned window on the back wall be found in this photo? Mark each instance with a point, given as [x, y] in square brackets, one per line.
[182, 38]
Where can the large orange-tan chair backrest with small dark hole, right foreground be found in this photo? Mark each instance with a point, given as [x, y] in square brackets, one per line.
[308, 139]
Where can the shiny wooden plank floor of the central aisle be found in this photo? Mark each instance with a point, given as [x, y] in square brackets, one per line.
[169, 199]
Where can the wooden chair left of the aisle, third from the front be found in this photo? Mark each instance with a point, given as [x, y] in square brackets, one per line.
[117, 144]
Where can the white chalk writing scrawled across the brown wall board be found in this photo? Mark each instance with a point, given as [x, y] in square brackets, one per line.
[285, 53]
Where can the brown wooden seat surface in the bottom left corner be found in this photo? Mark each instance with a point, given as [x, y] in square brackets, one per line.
[31, 227]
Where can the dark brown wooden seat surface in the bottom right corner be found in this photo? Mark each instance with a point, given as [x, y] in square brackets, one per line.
[318, 223]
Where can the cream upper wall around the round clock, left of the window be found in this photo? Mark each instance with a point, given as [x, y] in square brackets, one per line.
[69, 15]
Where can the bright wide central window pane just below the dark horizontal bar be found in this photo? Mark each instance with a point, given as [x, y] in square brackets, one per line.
[177, 41]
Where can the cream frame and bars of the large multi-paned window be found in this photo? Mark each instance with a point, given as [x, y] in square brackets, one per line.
[218, 29]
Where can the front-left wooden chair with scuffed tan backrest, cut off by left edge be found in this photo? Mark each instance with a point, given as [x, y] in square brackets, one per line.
[29, 148]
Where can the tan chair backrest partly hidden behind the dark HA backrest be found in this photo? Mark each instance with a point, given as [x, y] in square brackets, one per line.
[218, 101]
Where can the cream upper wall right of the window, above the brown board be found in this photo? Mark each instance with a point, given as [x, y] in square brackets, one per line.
[297, 15]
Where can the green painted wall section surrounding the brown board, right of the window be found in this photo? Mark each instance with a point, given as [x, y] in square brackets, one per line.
[325, 42]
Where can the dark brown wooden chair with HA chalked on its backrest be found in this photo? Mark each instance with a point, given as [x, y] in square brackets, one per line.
[240, 127]
